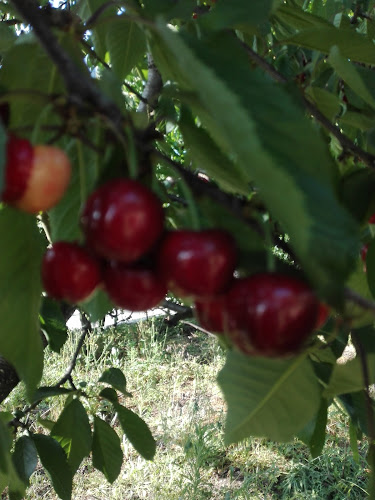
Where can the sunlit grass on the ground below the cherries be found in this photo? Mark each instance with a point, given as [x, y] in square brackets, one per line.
[171, 374]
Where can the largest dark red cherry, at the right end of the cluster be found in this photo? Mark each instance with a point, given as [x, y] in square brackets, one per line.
[271, 314]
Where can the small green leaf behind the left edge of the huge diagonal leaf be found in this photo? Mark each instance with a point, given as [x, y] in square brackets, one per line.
[208, 156]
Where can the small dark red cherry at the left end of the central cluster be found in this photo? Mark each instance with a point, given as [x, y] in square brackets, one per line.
[69, 272]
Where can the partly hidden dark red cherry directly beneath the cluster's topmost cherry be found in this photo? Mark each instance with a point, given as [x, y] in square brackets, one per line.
[133, 287]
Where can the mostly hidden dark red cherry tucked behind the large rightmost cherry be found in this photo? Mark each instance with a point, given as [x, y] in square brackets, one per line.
[212, 314]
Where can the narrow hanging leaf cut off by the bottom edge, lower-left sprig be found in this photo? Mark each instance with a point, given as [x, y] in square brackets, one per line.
[53, 459]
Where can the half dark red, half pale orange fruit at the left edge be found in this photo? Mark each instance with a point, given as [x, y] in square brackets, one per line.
[35, 178]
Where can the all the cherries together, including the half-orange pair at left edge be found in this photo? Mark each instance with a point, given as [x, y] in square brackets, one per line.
[128, 252]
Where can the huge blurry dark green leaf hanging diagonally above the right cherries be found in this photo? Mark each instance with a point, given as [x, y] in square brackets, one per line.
[214, 77]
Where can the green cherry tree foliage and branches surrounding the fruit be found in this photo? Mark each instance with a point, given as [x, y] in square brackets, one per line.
[274, 101]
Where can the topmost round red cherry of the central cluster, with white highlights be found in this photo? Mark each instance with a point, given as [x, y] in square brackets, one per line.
[122, 220]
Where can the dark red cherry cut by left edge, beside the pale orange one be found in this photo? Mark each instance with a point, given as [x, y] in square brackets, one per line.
[18, 166]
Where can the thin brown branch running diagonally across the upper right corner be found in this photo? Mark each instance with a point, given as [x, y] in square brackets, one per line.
[346, 143]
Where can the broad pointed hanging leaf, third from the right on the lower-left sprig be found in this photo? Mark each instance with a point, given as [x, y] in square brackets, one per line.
[73, 429]
